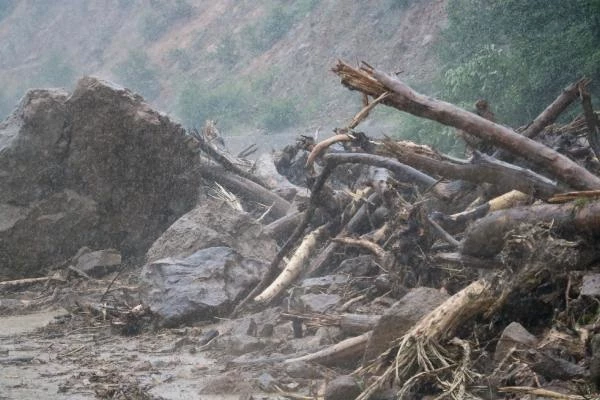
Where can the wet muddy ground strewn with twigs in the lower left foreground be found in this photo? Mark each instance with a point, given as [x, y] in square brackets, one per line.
[54, 345]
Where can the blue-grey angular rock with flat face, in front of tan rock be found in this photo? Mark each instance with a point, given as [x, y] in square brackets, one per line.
[199, 287]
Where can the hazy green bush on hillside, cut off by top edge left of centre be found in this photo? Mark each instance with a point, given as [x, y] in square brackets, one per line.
[161, 16]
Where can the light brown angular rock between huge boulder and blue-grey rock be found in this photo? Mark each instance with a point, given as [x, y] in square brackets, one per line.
[213, 224]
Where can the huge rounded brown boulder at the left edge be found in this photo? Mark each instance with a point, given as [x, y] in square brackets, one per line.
[98, 168]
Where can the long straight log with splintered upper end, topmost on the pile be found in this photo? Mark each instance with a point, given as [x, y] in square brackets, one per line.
[374, 83]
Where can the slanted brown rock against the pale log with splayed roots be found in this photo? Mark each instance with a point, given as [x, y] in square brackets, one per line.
[400, 317]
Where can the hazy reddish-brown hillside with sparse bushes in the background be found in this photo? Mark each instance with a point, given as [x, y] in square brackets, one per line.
[259, 65]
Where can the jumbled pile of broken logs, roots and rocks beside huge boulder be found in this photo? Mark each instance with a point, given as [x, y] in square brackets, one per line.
[372, 268]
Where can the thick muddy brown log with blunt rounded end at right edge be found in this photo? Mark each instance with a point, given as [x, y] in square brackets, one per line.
[485, 237]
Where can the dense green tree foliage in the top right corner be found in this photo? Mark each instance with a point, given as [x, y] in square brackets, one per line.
[518, 54]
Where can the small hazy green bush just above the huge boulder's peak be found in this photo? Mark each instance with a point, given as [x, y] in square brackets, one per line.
[139, 74]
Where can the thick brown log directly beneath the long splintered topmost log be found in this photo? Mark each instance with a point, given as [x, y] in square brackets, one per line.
[482, 168]
